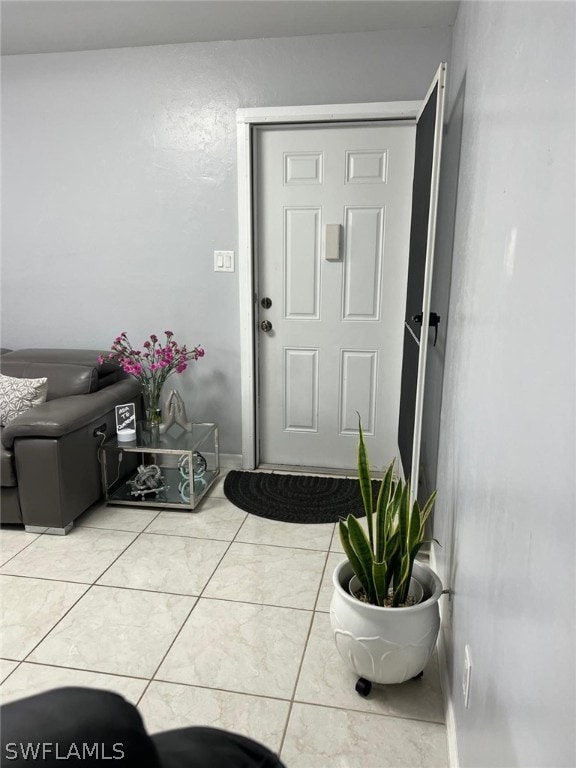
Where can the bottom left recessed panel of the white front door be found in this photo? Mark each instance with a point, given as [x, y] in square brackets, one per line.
[301, 390]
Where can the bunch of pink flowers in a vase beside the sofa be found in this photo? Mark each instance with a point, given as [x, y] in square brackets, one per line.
[153, 364]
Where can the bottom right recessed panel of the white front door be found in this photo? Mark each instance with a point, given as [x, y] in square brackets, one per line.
[358, 387]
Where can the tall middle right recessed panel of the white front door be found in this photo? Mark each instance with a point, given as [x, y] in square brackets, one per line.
[364, 246]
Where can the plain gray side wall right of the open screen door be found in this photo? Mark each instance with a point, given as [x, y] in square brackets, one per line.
[506, 459]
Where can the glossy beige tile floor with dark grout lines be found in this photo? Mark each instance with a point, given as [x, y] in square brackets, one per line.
[212, 617]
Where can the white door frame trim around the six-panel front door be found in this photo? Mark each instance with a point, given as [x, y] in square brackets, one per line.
[247, 120]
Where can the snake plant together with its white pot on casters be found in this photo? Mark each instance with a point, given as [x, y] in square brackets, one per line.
[386, 631]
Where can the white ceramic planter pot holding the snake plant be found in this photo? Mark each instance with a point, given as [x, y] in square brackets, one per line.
[385, 645]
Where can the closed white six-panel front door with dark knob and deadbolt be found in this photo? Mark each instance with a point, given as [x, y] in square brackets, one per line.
[332, 227]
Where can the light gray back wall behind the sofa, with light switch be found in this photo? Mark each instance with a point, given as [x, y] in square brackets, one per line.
[119, 181]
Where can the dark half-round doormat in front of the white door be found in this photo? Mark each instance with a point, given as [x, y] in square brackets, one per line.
[294, 498]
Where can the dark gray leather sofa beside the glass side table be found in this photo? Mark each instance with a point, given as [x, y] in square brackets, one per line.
[50, 471]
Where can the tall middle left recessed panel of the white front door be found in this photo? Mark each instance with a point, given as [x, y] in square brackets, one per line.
[302, 239]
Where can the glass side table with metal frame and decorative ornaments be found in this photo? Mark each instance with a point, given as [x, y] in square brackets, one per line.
[182, 466]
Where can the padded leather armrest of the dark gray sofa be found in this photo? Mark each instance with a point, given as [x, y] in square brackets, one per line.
[59, 417]
